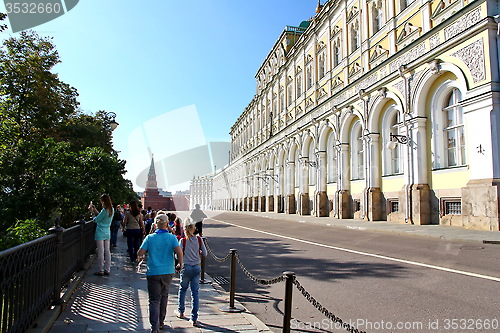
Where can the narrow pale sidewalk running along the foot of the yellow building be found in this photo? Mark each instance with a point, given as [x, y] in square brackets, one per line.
[434, 231]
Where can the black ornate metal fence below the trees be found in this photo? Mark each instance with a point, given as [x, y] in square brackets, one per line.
[33, 274]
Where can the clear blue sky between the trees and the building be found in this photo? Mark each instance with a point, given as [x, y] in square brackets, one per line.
[153, 59]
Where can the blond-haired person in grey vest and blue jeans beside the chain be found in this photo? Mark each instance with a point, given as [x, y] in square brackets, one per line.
[193, 249]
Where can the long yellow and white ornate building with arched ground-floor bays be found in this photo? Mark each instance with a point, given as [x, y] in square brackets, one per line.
[376, 110]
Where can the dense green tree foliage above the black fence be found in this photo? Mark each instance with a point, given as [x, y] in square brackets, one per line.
[53, 158]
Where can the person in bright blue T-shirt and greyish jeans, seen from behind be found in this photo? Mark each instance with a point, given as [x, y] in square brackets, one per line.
[160, 246]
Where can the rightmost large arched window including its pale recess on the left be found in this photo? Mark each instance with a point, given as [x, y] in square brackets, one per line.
[448, 128]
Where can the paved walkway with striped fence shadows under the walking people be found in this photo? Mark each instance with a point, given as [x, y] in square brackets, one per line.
[119, 302]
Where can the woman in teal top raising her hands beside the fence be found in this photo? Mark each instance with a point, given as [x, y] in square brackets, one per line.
[103, 234]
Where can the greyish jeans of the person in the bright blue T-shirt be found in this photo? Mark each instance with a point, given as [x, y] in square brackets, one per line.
[158, 298]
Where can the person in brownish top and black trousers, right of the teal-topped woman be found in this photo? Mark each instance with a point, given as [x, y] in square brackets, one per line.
[134, 230]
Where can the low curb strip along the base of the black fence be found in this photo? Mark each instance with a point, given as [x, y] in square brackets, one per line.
[47, 319]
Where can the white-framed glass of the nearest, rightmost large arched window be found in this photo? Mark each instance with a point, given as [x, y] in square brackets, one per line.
[453, 130]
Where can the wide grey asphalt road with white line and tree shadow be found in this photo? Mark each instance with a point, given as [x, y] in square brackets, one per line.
[378, 282]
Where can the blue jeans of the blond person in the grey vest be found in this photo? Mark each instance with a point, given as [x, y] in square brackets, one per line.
[190, 276]
